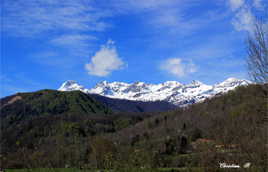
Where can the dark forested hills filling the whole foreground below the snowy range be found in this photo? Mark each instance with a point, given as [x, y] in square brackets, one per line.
[52, 129]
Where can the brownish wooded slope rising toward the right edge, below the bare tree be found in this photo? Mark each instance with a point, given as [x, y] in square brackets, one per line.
[230, 128]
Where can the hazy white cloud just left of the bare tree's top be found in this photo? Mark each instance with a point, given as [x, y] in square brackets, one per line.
[244, 20]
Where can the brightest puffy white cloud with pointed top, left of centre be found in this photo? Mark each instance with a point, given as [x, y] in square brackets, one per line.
[104, 61]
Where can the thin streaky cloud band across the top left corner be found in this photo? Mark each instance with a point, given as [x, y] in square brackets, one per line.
[31, 17]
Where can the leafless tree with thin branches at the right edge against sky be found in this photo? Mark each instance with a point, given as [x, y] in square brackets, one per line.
[257, 60]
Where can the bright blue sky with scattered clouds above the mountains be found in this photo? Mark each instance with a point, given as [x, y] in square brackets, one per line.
[46, 42]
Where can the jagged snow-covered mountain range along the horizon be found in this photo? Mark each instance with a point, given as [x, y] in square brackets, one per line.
[171, 91]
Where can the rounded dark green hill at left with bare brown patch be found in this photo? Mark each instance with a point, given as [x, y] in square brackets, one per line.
[50, 102]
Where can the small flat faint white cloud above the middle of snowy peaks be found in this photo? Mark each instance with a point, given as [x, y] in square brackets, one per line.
[178, 67]
